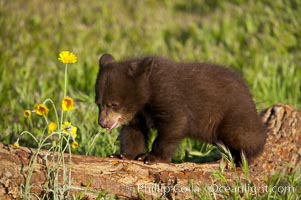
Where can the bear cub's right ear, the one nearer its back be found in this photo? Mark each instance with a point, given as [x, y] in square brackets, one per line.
[143, 67]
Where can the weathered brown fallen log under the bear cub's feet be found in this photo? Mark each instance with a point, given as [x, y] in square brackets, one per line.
[133, 179]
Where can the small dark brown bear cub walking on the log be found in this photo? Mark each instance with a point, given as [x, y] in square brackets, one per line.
[197, 100]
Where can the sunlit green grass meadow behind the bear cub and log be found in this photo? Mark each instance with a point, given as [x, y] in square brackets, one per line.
[259, 39]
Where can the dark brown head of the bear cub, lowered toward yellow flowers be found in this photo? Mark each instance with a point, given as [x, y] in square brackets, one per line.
[121, 90]
